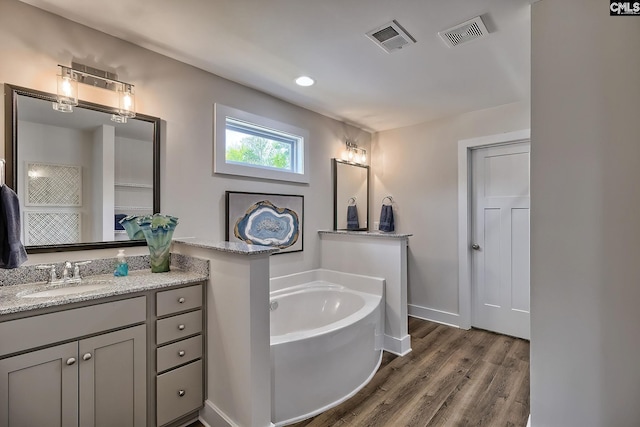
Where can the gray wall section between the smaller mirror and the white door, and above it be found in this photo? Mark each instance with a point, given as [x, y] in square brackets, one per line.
[418, 166]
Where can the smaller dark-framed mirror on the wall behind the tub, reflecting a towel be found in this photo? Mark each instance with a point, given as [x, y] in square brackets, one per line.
[350, 196]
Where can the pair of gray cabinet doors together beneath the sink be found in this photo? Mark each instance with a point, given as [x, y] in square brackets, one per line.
[94, 382]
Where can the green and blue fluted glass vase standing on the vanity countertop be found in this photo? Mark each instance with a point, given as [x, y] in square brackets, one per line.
[158, 231]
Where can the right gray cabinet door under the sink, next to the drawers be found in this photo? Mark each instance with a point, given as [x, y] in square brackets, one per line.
[113, 379]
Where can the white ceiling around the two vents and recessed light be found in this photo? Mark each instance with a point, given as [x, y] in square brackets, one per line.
[266, 44]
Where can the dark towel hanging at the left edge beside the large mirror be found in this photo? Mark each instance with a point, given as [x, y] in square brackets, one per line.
[12, 253]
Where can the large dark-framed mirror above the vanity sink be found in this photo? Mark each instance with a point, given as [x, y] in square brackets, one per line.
[76, 174]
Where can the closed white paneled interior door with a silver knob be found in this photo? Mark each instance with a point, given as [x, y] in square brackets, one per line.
[500, 239]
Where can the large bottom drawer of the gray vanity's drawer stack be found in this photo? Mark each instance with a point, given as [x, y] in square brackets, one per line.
[179, 392]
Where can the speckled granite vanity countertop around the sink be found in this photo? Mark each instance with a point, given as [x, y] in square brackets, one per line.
[15, 299]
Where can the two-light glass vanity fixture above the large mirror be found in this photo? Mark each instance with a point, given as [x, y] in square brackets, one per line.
[69, 78]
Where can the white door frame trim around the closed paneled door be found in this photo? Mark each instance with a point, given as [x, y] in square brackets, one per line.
[464, 212]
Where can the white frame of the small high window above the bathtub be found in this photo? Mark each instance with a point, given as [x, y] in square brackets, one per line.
[300, 173]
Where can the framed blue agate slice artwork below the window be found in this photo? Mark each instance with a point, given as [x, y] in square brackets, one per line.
[265, 219]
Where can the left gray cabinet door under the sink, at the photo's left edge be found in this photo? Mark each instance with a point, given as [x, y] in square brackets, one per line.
[40, 388]
